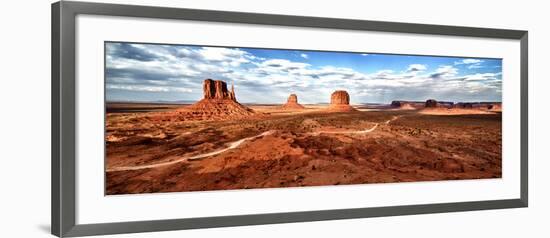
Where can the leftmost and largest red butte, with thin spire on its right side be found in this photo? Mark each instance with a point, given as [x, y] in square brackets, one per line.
[217, 104]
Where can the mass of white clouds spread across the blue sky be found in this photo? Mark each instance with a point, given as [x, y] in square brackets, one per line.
[179, 69]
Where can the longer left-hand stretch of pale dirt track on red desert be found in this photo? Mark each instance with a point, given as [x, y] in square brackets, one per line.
[232, 145]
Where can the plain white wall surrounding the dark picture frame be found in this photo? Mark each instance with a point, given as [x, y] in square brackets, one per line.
[25, 119]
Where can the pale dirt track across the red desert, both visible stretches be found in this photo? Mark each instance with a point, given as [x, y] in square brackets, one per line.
[234, 145]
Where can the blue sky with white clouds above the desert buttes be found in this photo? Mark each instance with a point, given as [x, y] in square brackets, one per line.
[154, 72]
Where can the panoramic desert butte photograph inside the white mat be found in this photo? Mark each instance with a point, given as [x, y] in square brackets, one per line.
[183, 118]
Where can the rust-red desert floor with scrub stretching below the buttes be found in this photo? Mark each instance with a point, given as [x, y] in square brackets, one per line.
[299, 148]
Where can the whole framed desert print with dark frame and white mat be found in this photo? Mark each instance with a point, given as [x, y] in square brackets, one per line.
[167, 119]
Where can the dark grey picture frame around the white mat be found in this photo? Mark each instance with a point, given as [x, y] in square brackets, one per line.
[63, 117]
